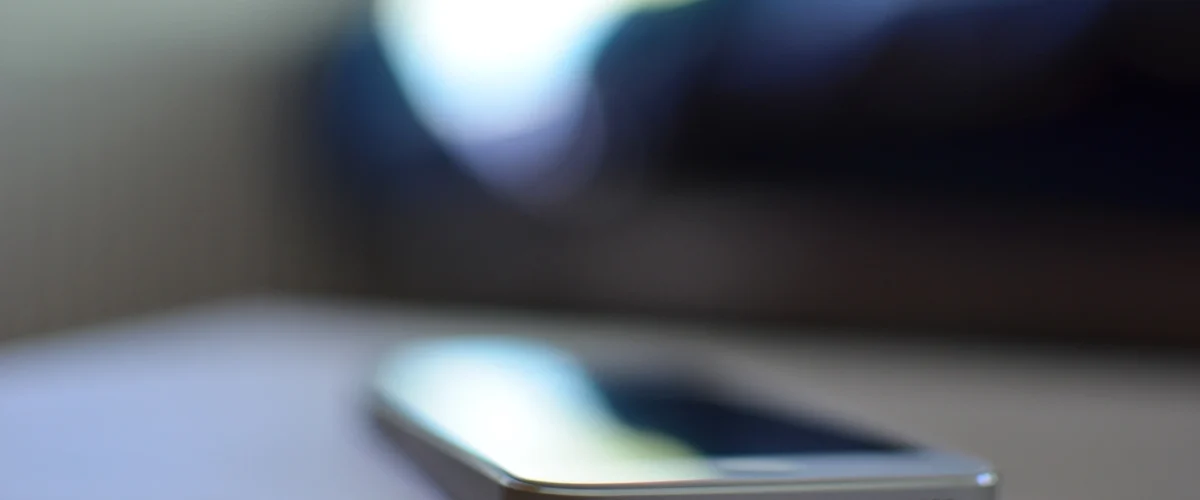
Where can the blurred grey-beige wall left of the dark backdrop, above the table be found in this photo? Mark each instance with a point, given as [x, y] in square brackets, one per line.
[145, 150]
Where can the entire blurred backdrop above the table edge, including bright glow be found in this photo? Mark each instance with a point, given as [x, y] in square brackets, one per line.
[1022, 168]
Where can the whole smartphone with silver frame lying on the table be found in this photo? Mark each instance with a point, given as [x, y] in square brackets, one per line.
[524, 420]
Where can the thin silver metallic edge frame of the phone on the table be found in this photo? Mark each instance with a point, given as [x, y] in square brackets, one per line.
[464, 475]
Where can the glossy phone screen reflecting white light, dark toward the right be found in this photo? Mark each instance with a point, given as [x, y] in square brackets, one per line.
[542, 415]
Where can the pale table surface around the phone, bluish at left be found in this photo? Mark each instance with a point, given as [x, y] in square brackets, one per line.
[265, 399]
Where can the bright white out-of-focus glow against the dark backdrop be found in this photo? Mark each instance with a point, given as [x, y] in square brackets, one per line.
[505, 86]
